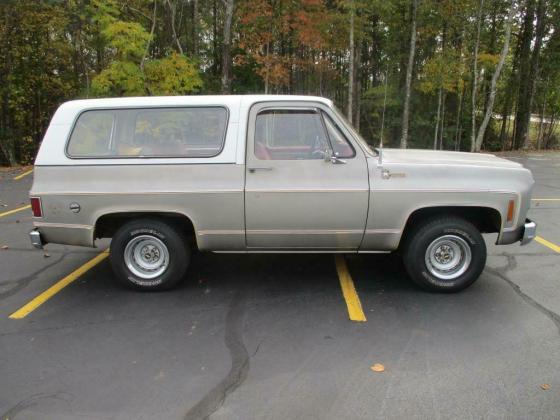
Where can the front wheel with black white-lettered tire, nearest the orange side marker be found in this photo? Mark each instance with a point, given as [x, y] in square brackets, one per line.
[449, 232]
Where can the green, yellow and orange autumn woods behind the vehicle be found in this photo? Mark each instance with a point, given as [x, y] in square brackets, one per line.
[52, 51]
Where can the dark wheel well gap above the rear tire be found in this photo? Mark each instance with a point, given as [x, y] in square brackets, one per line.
[108, 224]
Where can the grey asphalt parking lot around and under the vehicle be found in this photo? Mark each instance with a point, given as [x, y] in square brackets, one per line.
[269, 336]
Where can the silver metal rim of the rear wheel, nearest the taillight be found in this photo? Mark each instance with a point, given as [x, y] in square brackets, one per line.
[146, 257]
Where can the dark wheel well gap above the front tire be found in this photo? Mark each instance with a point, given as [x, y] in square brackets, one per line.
[485, 219]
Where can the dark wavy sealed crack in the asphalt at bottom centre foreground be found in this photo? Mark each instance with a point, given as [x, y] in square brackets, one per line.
[237, 374]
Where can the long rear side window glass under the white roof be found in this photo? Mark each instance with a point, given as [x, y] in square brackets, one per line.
[149, 132]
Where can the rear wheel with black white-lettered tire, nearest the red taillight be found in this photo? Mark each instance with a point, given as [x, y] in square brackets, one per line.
[148, 233]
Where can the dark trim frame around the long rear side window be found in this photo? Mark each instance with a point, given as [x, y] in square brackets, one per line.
[144, 108]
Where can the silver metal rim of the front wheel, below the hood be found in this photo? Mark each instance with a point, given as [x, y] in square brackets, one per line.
[448, 257]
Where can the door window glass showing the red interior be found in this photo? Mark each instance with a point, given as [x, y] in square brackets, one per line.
[289, 134]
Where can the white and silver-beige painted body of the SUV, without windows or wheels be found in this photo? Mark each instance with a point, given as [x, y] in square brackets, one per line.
[238, 203]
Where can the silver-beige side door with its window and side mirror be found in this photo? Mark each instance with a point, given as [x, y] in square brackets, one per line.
[296, 196]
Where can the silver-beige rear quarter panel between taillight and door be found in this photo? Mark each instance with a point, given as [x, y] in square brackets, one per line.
[210, 195]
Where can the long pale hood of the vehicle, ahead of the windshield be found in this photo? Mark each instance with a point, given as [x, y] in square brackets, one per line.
[436, 157]
